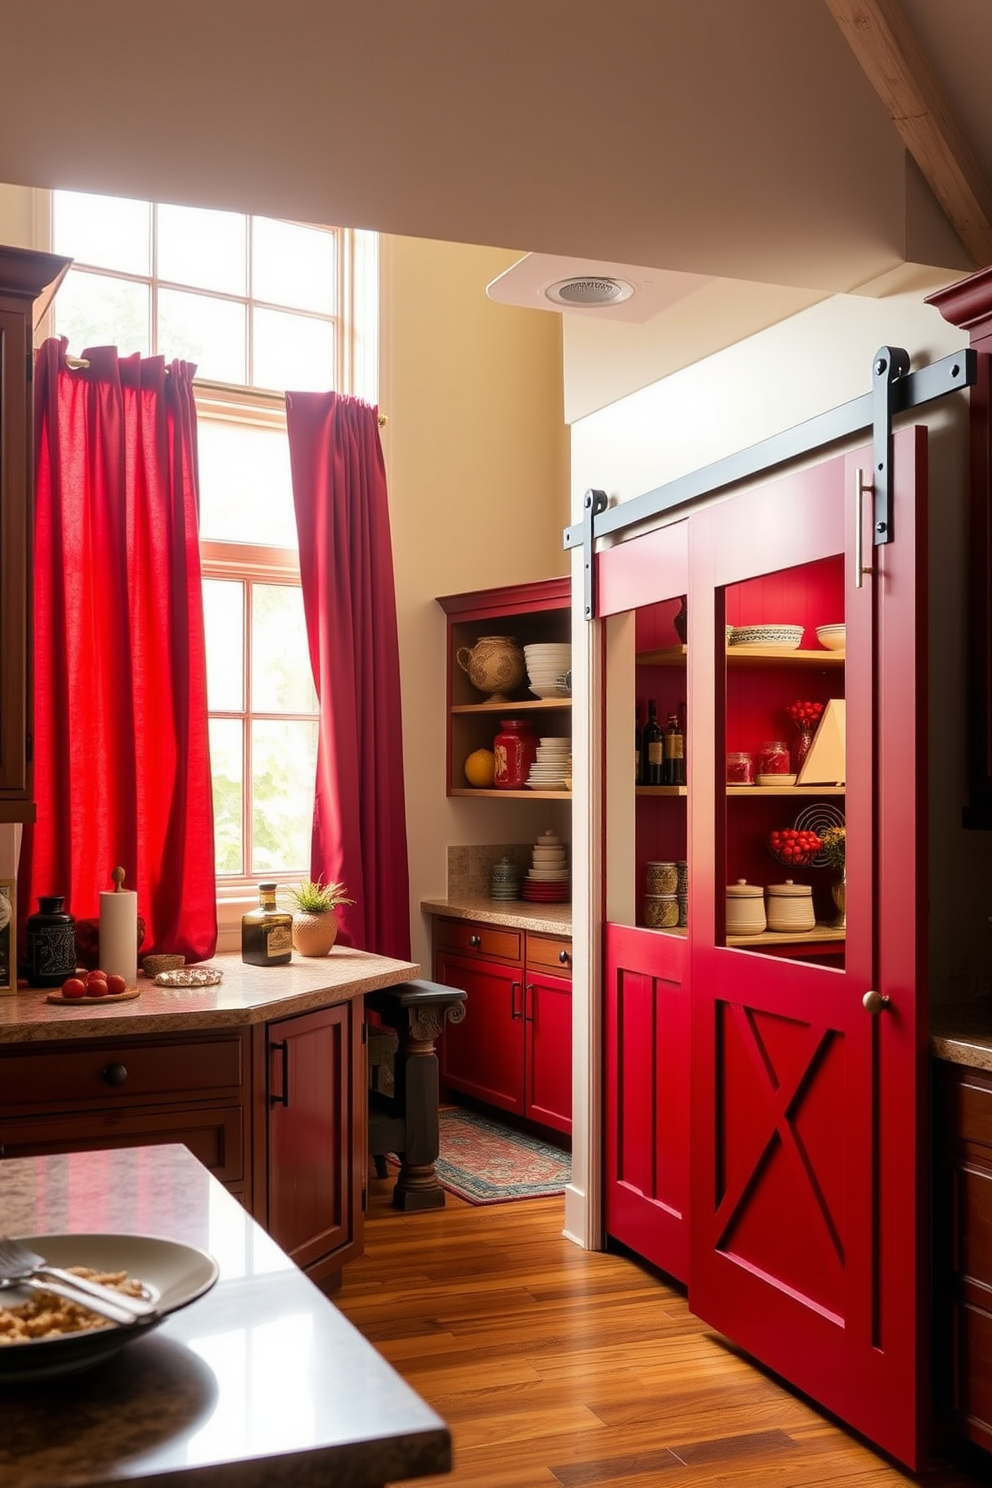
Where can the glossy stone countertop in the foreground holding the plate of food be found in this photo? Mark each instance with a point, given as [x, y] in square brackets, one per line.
[261, 1382]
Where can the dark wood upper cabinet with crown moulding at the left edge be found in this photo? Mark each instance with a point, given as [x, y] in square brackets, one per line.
[28, 282]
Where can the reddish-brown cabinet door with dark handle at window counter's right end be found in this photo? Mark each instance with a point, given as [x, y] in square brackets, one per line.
[315, 1210]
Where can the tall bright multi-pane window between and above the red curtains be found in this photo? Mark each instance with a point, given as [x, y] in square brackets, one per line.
[260, 306]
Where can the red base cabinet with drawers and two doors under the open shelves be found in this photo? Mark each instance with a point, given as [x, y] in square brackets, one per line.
[514, 1047]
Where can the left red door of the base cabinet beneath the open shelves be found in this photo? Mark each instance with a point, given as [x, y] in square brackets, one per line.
[484, 1054]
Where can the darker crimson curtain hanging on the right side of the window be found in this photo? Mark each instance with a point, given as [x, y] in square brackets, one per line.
[350, 602]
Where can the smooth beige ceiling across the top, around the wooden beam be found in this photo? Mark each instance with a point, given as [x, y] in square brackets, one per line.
[731, 139]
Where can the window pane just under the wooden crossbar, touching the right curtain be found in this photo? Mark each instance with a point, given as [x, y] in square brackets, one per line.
[282, 679]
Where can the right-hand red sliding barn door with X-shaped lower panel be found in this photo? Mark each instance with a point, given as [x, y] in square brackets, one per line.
[807, 1106]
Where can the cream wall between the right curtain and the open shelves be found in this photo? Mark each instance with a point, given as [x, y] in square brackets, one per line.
[477, 462]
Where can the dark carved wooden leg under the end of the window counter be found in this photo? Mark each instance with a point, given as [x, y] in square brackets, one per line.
[417, 1013]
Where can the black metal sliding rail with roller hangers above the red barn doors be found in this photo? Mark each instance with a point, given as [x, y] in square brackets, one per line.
[895, 391]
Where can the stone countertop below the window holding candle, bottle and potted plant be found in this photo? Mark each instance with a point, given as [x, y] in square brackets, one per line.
[249, 995]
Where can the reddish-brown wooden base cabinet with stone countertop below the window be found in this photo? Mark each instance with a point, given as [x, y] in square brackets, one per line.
[263, 1078]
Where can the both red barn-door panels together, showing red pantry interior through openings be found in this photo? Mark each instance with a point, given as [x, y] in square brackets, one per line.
[790, 1132]
